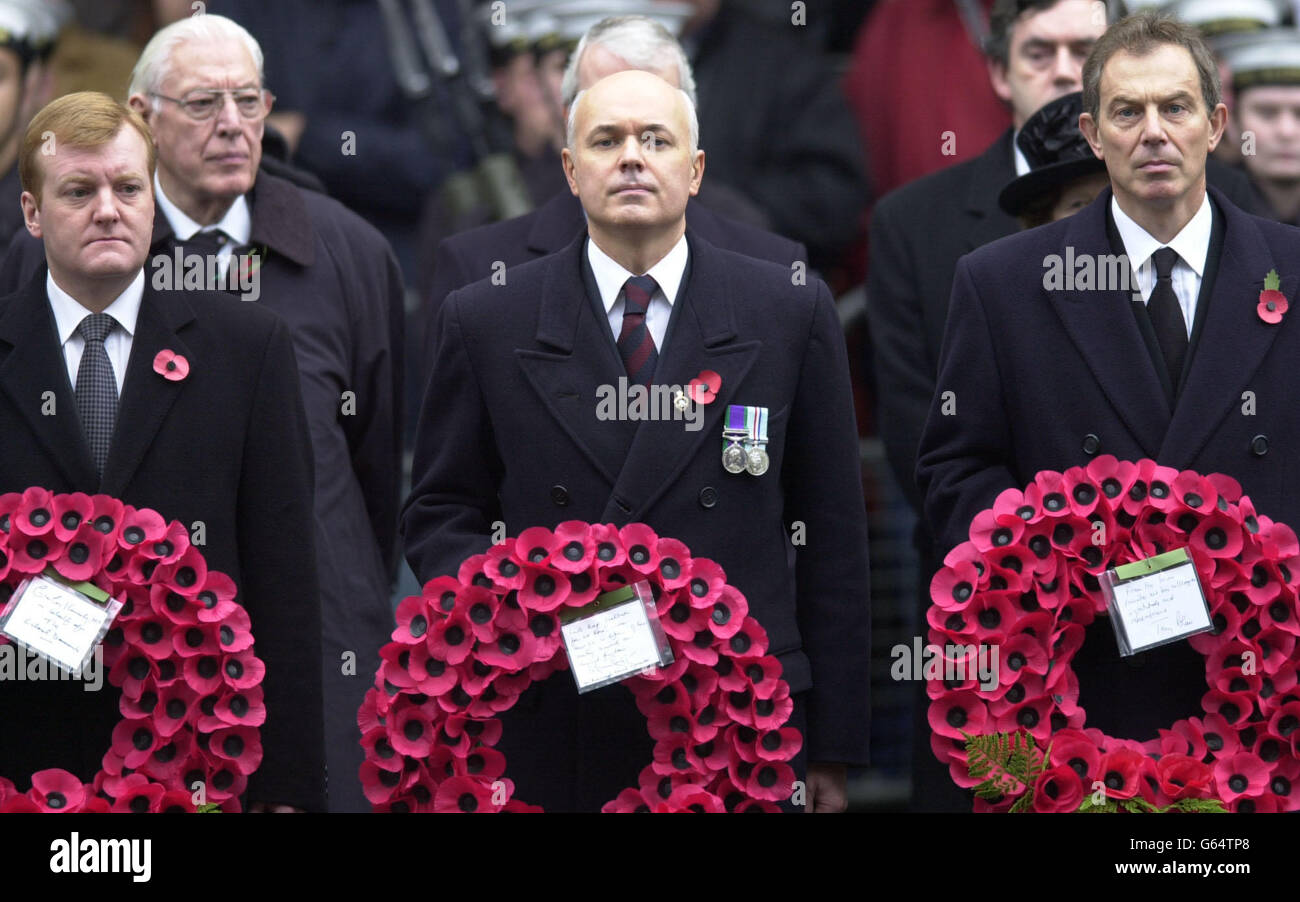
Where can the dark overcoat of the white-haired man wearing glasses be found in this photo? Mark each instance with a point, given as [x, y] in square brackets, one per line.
[333, 280]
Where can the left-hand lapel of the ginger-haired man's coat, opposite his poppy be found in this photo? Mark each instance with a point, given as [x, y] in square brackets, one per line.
[36, 366]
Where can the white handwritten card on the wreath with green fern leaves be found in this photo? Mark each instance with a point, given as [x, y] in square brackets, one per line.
[1162, 608]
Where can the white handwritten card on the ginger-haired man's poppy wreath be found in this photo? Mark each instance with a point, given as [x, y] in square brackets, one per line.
[58, 623]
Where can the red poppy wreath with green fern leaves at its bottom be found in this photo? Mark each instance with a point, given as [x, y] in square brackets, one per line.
[1028, 583]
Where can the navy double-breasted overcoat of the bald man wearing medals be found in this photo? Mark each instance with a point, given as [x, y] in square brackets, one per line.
[509, 432]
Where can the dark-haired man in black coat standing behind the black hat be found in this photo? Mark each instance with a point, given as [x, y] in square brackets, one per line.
[920, 231]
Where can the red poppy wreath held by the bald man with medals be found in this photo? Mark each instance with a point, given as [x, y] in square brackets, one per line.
[467, 648]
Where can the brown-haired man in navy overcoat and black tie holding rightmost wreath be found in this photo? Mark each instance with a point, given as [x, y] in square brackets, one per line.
[1048, 379]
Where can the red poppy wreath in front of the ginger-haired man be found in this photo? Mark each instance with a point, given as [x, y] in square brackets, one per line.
[180, 651]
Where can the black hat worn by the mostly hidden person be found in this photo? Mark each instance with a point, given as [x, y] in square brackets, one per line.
[1056, 150]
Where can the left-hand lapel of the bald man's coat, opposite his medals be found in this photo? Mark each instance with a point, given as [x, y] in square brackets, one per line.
[566, 380]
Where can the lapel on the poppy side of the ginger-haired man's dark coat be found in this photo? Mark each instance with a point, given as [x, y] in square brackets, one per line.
[146, 396]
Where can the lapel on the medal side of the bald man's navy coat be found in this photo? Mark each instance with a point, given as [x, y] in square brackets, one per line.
[703, 337]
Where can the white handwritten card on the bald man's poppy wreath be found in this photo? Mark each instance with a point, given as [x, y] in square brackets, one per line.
[610, 645]
